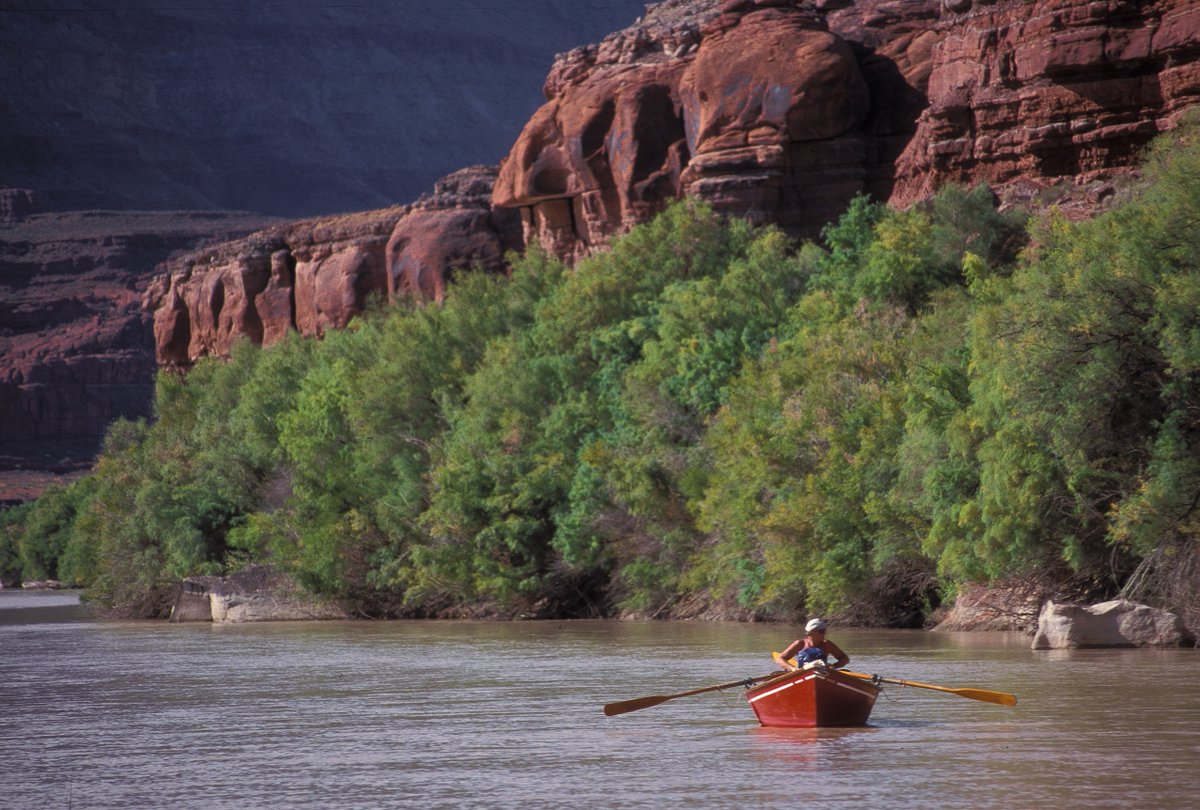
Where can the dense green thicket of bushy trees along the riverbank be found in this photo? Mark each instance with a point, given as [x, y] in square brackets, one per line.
[704, 417]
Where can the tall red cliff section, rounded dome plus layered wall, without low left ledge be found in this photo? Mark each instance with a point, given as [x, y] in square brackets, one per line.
[782, 111]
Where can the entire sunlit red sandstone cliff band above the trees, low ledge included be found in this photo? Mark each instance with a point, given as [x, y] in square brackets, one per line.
[779, 111]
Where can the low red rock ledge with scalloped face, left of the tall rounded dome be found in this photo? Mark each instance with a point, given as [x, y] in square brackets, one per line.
[316, 275]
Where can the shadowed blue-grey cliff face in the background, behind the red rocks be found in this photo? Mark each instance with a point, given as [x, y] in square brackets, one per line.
[291, 110]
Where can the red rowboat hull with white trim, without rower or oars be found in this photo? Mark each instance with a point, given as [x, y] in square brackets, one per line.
[814, 698]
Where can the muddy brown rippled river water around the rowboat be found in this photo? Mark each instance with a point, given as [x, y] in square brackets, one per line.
[453, 715]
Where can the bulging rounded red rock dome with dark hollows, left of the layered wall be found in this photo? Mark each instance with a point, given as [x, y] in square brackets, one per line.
[771, 110]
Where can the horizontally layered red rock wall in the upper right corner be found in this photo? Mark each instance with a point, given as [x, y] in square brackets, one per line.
[1028, 95]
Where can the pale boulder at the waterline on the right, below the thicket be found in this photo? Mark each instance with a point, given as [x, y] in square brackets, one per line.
[1118, 623]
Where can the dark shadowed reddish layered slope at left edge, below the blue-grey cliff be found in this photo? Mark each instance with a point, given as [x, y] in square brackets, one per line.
[76, 346]
